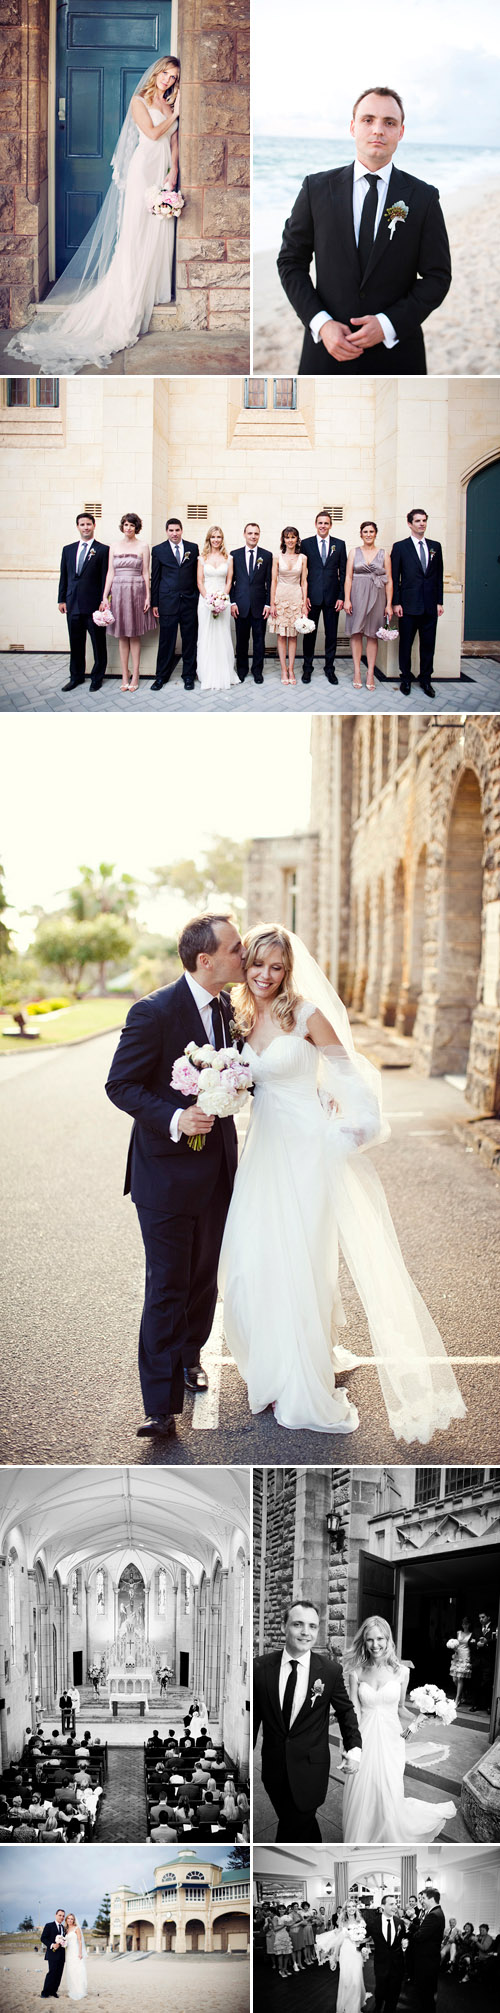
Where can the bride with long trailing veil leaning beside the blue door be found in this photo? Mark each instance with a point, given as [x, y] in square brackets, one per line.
[106, 299]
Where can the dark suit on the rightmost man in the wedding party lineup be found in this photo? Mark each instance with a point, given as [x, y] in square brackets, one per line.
[420, 595]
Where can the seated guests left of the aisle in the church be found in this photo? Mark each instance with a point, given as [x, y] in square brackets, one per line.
[55, 1791]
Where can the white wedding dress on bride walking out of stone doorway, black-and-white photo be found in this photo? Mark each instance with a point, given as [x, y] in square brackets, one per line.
[376, 1809]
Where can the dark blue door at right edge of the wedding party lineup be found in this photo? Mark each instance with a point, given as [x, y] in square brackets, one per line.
[483, 557]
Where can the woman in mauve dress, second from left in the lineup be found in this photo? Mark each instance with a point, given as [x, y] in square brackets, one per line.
[128, 587]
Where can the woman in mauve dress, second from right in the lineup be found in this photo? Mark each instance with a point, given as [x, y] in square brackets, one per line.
[368, 599]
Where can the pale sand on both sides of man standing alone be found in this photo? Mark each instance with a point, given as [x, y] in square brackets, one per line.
[463, 339]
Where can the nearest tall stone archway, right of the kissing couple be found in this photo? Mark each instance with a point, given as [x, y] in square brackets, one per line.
[461, 949]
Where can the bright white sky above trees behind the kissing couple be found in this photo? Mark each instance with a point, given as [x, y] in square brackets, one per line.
[140, 794]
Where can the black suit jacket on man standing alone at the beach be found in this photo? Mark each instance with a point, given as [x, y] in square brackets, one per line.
[408, 275]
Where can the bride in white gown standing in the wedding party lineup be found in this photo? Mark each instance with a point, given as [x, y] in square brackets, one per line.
[215, 631]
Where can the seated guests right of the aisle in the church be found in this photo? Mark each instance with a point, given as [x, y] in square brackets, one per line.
[193, 1789]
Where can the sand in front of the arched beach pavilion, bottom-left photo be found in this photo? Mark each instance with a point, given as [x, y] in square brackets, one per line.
[134, 1986]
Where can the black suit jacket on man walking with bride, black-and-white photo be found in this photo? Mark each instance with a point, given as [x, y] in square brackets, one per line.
[301, 1758]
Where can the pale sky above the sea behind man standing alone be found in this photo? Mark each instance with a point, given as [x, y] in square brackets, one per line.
[443, 57]
